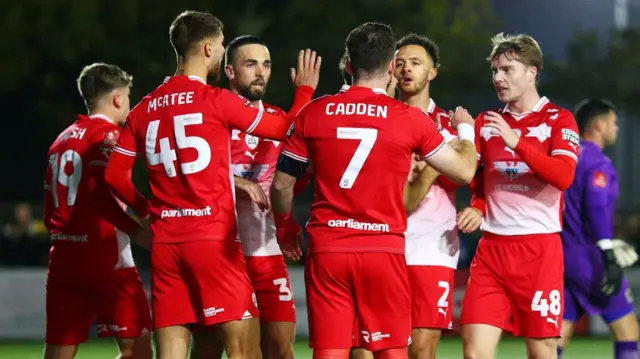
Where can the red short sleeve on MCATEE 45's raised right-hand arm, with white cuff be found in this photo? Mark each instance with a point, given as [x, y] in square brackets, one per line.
[236, 111]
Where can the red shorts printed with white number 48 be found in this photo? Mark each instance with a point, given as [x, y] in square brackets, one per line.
[516, 283]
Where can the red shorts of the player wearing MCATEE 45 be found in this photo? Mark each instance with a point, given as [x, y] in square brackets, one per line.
[200, 282]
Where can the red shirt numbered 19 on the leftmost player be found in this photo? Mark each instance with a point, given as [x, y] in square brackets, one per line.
[79, 211]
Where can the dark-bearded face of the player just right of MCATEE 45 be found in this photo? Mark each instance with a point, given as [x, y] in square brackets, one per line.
[250, 71]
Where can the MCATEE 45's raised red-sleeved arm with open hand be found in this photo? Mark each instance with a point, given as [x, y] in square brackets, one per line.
[239, 114]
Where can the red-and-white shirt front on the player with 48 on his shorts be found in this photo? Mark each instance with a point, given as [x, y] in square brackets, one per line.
[518, 201]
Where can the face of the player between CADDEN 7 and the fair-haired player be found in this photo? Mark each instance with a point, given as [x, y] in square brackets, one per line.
[414, 69]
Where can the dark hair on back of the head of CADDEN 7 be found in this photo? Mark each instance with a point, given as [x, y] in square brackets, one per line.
[371, 47]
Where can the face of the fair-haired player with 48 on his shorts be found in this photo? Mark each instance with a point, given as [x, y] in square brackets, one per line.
[512, 78]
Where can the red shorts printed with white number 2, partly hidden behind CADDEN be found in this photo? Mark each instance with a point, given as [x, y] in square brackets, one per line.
[431, 296]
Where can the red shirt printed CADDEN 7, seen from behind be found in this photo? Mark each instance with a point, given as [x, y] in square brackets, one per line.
[360, 143]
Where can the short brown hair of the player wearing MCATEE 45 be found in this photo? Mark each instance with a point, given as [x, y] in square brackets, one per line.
[191, 27]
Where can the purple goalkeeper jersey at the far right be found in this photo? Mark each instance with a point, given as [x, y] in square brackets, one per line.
[589, 206]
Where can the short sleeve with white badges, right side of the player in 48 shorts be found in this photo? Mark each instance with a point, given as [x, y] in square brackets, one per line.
[565, 140]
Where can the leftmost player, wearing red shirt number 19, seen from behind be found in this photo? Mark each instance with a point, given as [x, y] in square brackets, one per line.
[91, 270]
